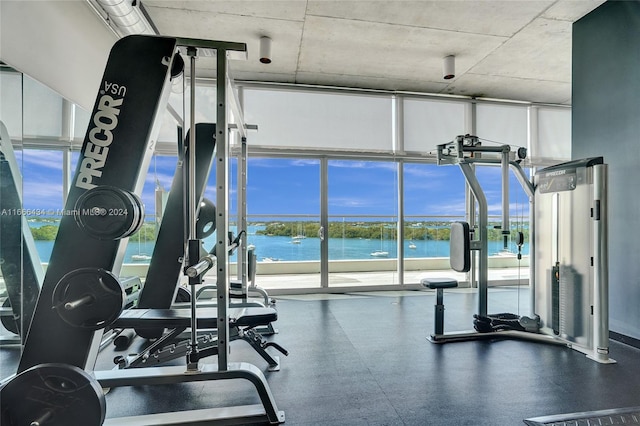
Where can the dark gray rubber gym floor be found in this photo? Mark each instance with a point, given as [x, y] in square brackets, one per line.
[363, 359]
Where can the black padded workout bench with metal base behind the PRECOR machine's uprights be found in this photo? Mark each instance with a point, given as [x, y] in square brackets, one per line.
[242, 322]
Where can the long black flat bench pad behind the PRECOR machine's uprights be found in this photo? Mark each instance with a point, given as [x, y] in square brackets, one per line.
[181, 318]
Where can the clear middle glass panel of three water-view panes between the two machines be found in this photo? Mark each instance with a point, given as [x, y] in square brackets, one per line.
[363, 220]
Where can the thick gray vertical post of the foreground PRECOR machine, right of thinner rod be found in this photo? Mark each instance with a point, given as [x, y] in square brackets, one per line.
[222, 203]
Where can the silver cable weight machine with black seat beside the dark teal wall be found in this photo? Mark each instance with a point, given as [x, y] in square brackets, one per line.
[568, 275]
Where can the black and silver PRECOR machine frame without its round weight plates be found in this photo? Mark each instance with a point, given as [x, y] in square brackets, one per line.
[116, 151]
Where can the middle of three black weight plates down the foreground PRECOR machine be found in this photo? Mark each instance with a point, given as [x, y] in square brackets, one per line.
[89, 298]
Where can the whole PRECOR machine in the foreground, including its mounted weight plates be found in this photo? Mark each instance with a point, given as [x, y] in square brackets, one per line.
[81, 295]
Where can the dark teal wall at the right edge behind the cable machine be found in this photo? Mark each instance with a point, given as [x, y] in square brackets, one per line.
[606, 122]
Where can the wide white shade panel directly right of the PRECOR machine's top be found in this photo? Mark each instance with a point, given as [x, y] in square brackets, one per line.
[319, 120]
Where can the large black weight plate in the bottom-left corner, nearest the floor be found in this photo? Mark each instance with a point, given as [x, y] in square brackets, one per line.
[52, 395]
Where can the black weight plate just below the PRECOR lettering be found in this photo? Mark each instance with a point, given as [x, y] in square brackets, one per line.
[108, 213]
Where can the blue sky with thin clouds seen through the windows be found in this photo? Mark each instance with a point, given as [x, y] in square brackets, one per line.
[292, 186]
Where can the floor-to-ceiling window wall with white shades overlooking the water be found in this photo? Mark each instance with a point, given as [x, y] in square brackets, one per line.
[323, 176]
